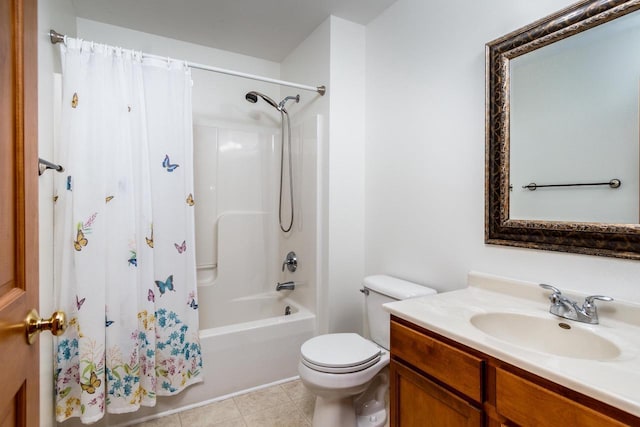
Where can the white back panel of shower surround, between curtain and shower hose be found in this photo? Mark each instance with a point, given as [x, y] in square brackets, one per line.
[236, 223]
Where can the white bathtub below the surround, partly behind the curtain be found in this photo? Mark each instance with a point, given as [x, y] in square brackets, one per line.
[262, 349]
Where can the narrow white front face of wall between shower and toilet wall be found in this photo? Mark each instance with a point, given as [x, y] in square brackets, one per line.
[346, 171]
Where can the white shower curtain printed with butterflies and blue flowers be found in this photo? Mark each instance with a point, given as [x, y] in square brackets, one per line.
[124, 233]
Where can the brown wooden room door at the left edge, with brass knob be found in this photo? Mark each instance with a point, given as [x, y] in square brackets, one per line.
[19, 373]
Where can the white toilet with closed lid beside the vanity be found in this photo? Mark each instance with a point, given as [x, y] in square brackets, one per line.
[347, 373]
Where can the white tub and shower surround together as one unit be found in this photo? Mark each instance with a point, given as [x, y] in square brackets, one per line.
[246, 338]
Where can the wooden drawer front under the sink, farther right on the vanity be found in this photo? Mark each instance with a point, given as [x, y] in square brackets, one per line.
[528, 404]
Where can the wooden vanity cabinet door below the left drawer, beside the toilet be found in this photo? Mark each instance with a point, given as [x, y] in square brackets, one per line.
[418, 402]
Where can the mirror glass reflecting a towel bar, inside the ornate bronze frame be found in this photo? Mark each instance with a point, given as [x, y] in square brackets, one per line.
[574, 107]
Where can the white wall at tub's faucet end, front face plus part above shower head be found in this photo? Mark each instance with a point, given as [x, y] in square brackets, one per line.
[333, 55]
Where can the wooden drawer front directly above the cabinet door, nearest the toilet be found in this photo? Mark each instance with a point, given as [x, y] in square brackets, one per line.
[451, 366]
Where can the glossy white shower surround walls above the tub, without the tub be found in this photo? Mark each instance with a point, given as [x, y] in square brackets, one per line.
[237, 235]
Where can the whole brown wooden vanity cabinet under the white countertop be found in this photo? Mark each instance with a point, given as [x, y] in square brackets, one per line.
[435, 381]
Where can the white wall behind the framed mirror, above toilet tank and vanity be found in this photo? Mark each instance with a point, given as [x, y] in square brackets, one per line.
[425, 152]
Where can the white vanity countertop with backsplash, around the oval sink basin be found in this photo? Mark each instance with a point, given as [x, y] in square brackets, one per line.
[614, 381]
